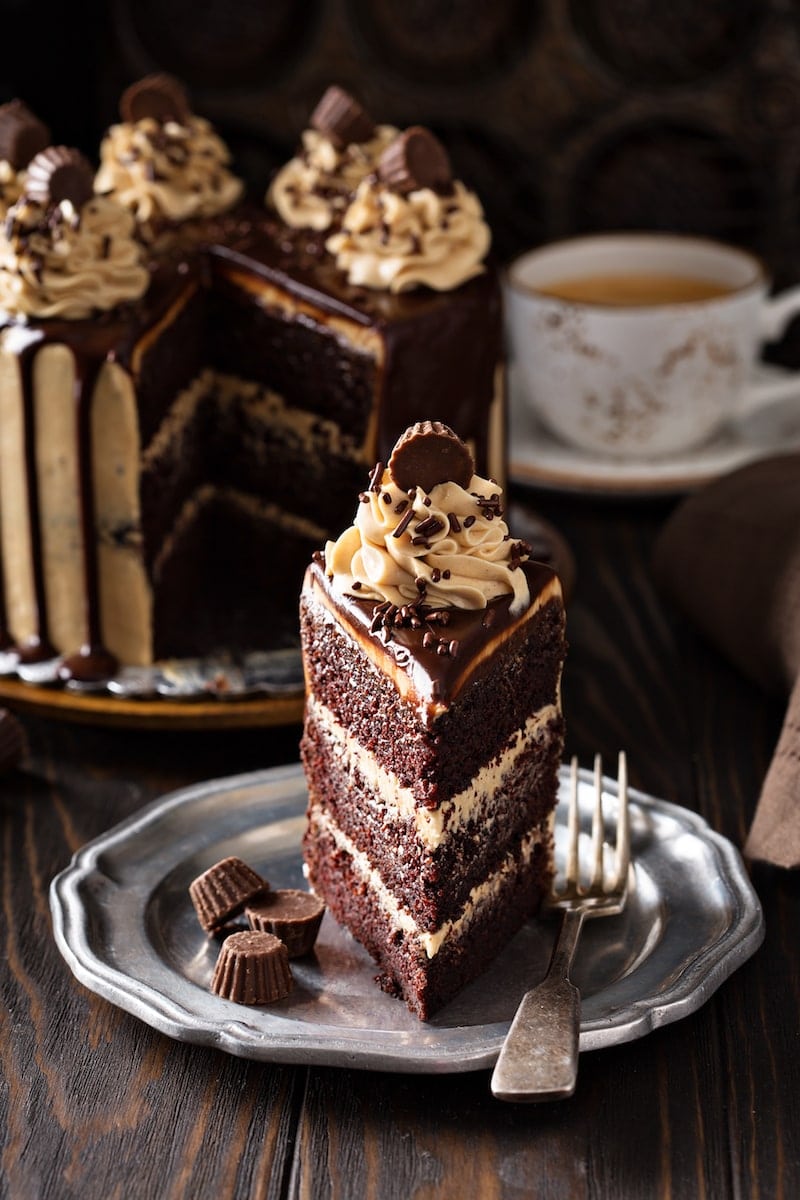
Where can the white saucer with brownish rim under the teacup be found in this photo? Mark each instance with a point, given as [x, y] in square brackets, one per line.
[538, 458]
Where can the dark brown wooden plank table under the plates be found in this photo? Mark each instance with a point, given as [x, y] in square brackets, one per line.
[97, 1105]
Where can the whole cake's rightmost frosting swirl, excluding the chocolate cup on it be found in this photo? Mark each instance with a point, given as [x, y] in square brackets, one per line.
[398, 242]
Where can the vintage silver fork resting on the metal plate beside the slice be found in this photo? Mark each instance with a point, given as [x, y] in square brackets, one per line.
[539, 1060]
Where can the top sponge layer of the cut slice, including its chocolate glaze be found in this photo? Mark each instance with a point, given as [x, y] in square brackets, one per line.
[435, 755]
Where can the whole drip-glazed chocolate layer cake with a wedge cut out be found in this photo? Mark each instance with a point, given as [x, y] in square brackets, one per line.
[191, 386]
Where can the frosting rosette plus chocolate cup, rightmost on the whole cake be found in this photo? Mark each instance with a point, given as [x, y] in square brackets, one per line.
[412, 225]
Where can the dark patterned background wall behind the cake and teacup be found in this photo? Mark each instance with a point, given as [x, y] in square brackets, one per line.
[566, 116]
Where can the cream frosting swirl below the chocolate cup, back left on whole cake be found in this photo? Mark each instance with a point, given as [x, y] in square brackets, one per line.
[167, 172]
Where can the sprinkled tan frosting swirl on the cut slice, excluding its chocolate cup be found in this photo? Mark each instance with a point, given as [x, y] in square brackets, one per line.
[449, 548]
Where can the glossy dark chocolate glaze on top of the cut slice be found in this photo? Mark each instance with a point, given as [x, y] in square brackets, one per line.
[436, 674]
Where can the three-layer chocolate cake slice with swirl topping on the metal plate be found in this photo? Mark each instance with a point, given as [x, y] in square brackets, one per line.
[434, 733]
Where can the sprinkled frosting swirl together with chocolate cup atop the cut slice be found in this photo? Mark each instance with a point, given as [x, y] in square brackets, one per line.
[429, 545]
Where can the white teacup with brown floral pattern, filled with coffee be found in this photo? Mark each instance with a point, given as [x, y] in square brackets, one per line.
[651, 376]
